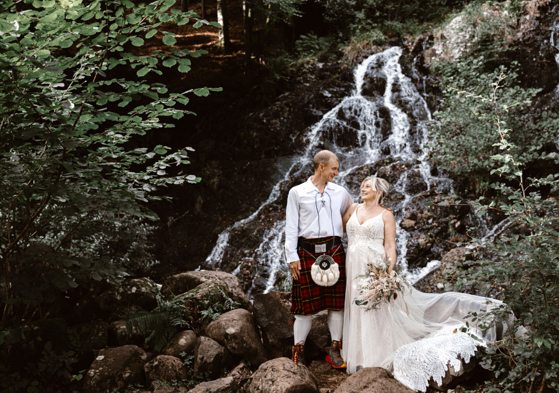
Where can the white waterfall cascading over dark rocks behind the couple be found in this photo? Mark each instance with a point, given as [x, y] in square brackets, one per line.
[385, 119]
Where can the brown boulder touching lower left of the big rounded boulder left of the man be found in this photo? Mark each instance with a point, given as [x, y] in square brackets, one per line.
[210, 358]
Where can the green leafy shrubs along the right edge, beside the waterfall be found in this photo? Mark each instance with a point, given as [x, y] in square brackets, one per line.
[486, 132]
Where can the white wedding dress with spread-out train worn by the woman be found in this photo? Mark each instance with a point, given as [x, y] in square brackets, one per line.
[414, 347]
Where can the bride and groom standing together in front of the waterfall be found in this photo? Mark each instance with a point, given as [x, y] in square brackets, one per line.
[318, 212]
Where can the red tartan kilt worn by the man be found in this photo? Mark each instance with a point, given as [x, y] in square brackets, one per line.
[307, 298]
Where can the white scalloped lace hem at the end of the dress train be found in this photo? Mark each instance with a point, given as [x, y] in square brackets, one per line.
[416, 363]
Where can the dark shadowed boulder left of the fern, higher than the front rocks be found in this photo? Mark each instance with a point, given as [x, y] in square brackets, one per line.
[130, 294]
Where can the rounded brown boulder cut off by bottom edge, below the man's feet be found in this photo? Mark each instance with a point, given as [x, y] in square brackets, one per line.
[281, 375]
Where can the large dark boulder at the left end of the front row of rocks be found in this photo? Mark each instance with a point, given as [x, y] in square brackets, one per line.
[115, 368]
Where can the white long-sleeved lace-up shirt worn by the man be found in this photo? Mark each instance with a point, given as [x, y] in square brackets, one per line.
[311, 214]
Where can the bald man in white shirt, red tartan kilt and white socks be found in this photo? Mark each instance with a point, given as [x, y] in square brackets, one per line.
[314, 227]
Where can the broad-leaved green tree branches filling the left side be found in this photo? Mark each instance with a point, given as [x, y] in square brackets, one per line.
[73, 182]
